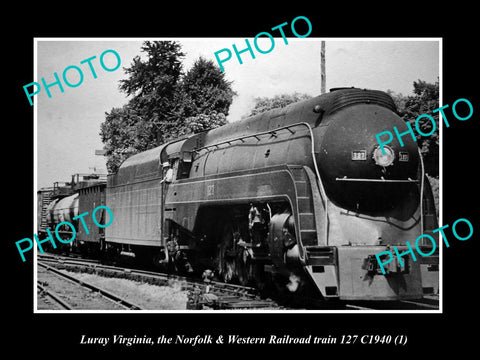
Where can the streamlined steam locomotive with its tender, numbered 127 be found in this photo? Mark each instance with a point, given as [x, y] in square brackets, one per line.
[302, 196]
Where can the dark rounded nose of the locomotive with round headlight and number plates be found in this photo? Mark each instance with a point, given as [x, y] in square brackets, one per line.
[356, 174]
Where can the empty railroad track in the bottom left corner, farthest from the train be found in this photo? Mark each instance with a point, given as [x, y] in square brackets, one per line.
[67, 298]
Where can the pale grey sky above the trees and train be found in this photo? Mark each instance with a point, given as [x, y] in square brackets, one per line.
[67, 124]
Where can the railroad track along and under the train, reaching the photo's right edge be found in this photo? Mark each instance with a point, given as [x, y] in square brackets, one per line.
[219, 295]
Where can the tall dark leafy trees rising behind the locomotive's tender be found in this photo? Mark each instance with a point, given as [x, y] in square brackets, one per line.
[165, 103]
